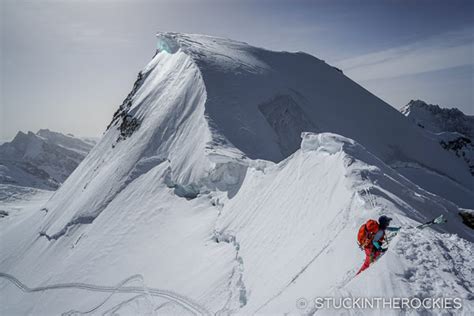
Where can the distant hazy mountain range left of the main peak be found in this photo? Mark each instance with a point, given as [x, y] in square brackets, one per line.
[42, 160]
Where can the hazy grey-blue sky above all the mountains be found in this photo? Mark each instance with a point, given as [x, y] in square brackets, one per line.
[68, 65]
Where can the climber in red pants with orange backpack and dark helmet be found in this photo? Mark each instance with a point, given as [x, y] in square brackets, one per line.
[370, 238]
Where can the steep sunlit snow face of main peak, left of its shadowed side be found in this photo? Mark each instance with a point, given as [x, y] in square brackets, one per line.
[173, 96]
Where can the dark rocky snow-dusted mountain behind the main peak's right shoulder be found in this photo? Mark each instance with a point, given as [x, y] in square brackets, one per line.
[450, 127]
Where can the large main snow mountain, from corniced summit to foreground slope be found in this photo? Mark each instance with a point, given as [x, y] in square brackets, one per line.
[233, 179]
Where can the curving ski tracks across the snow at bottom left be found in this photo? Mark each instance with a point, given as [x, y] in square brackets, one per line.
[179, 299]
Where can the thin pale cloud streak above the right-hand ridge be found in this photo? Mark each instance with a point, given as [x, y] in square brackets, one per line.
[448, 50]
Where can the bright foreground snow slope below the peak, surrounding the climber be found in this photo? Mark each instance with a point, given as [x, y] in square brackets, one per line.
[278, 239]
